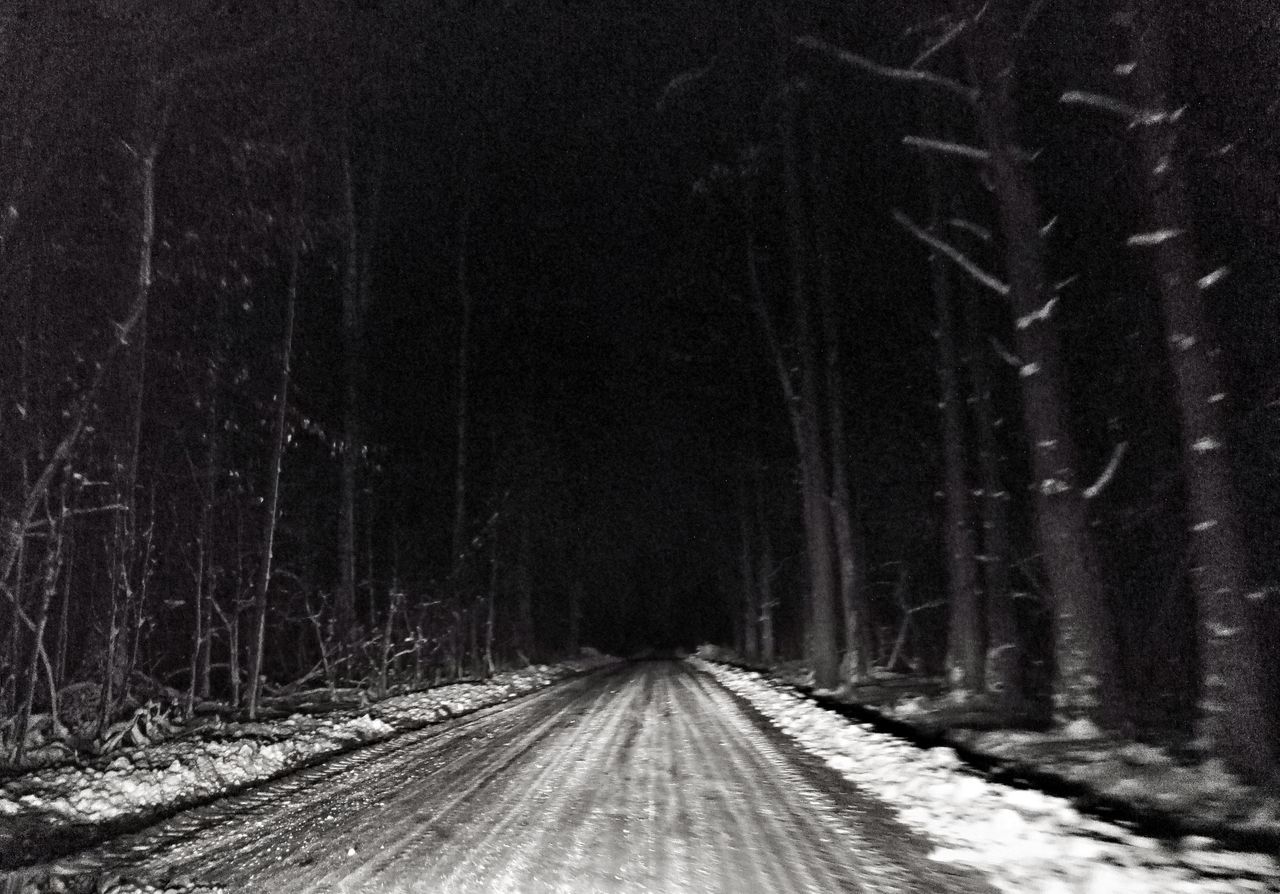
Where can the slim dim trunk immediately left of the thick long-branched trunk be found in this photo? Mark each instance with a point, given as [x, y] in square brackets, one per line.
[1004, 667]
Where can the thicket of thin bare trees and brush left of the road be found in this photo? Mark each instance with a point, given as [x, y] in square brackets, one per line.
[94, 505]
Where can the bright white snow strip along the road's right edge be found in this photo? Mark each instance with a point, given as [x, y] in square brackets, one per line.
[1025, 840]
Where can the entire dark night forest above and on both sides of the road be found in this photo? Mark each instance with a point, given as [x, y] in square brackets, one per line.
[369, 344]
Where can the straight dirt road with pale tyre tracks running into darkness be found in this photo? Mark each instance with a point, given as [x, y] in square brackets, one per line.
[646, 778]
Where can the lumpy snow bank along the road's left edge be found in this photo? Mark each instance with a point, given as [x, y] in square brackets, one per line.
[56, 808]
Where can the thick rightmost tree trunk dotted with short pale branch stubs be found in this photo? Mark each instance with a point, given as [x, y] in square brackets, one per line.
[1233, 711]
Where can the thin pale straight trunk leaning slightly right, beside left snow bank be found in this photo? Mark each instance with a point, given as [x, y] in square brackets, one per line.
[273, 499]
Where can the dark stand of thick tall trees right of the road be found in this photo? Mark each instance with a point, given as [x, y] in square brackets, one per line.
[1100, 391]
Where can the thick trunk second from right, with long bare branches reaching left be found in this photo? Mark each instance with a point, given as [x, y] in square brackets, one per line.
[1086, 683]
